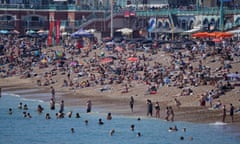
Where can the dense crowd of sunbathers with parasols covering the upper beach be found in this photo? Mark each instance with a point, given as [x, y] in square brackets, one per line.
[107, 64]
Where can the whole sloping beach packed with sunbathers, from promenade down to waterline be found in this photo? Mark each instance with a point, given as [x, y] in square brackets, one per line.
[186, 79]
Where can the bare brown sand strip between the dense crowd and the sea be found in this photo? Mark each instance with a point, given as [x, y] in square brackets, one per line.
[189, 111]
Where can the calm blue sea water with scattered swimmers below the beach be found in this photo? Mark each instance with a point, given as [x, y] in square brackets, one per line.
[16, 129]
